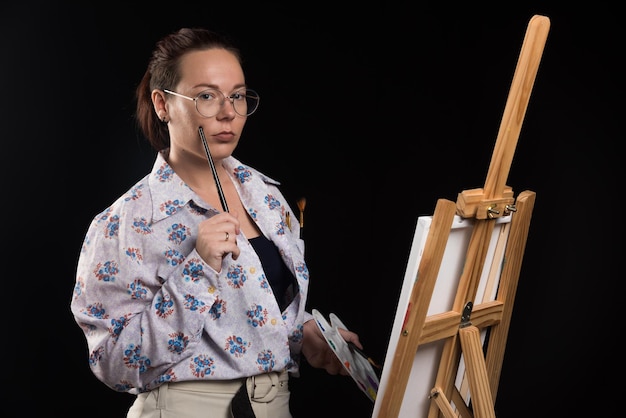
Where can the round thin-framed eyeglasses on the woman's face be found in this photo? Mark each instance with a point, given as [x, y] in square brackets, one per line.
[210, 101]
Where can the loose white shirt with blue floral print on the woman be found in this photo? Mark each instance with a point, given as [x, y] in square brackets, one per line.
[153, 311]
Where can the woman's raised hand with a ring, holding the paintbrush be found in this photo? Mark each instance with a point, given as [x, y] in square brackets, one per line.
[217, 236]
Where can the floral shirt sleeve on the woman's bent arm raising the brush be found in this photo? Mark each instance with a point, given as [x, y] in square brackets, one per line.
[121, 297]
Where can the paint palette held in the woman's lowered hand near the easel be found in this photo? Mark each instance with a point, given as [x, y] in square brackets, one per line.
[355, 364]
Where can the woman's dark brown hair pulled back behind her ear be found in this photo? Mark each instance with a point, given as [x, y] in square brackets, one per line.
[163, 73]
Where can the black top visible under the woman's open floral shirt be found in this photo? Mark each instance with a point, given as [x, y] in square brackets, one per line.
[276, 272]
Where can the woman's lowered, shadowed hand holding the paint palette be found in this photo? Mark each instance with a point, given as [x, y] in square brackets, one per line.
[317, 351]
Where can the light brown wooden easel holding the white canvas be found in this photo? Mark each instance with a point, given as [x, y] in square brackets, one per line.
[460, 327]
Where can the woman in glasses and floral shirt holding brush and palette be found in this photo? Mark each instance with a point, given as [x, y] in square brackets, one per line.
[191, 288]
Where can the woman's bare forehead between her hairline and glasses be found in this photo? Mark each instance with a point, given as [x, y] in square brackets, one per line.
[217, 67]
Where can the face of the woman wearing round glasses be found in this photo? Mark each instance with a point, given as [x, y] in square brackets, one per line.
[215, 69]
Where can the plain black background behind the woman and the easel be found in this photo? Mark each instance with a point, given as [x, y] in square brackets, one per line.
[371, 112]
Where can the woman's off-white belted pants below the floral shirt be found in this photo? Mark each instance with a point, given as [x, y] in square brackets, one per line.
[269, 395]
